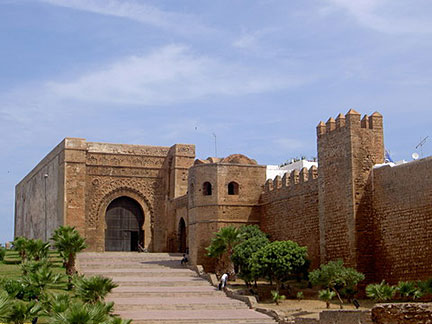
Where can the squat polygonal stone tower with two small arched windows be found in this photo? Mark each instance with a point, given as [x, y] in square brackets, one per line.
[222, 192]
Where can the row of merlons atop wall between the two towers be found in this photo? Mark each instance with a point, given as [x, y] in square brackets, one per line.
[291, 180]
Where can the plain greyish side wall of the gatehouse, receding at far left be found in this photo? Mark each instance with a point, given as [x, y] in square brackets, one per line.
[39, 207]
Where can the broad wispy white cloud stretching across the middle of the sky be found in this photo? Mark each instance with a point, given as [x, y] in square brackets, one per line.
[169, 75]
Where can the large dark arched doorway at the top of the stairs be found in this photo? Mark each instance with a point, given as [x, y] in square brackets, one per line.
[124, 219]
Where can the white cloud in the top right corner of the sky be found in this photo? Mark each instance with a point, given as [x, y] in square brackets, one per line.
[395, 16]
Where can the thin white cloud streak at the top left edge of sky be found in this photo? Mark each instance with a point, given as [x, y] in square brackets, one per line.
[137, 11]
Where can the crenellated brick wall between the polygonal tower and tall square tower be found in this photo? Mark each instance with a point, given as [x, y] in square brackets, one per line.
[289, 209]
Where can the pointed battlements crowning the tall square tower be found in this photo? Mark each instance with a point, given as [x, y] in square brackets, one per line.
[351, 120]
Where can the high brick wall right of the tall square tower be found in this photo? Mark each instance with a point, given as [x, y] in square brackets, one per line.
[402, 197]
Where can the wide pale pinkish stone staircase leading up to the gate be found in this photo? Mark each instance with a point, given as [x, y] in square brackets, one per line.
[156, 288]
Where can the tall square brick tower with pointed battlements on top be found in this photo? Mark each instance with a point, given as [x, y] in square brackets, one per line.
[347, 150]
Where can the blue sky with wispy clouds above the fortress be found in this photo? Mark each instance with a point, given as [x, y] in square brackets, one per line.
[260, 74]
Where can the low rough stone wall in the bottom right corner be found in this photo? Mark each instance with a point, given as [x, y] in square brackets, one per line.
[402, 314]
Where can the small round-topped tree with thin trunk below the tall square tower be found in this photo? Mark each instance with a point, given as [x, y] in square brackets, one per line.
[335, 276]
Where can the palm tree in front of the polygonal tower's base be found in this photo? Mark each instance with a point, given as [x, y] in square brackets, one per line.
[222, 245]
